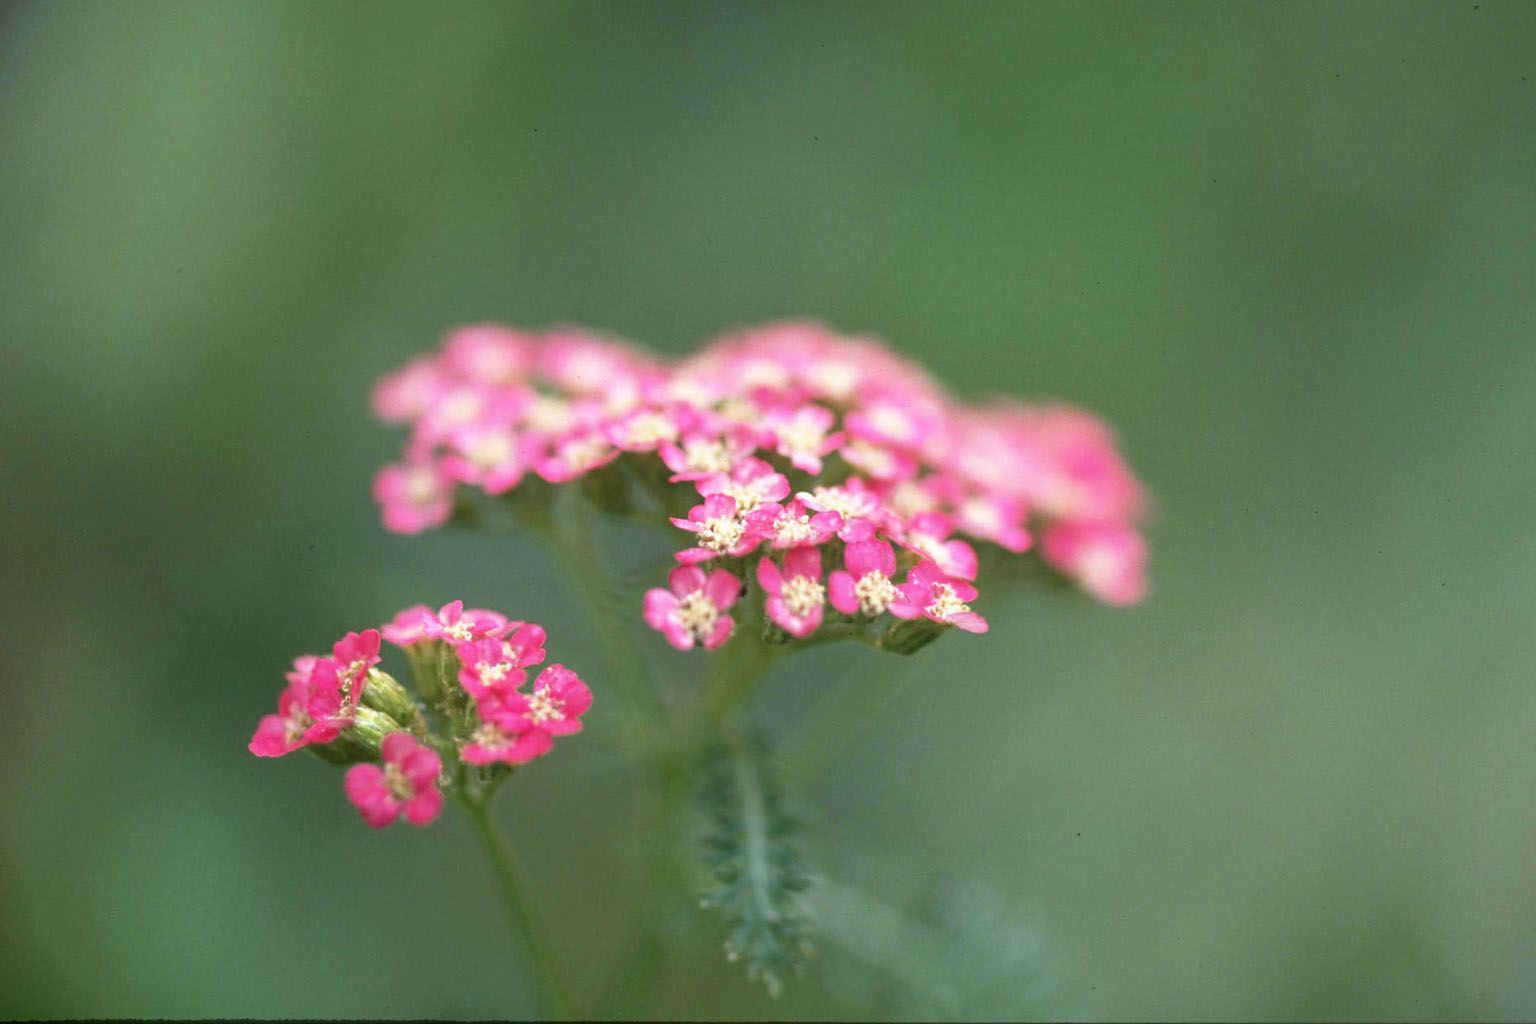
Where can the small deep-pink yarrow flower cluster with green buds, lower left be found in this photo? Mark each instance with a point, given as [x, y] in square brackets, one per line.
[475, 664]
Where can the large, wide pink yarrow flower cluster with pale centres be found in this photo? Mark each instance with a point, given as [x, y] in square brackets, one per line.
[847, 474]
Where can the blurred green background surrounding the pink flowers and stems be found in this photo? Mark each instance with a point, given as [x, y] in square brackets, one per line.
[1289, 251]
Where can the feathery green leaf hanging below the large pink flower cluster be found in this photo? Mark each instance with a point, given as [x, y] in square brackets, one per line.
[753, 856]
